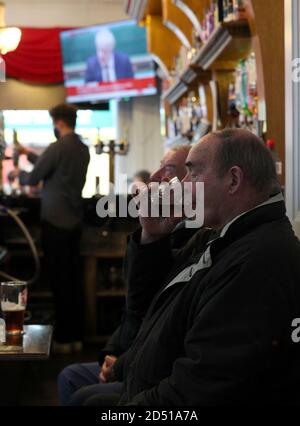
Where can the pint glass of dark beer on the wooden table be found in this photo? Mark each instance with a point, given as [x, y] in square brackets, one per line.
[13, 298]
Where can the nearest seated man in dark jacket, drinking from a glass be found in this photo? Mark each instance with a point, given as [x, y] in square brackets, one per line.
[218, 331]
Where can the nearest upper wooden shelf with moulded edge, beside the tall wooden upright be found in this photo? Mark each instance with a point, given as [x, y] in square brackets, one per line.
[228, 44]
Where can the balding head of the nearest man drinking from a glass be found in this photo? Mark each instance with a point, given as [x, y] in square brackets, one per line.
[237, 170]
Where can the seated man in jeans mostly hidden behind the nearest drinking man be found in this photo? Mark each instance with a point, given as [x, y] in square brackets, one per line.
[77, 382]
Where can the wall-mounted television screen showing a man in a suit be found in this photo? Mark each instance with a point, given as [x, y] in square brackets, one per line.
[107, 61]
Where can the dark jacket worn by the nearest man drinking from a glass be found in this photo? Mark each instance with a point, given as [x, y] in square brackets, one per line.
[220, 332]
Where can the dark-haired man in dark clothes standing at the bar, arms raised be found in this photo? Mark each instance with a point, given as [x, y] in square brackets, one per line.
[62, 168]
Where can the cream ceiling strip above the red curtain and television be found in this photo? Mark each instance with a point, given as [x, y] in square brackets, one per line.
[57, 13]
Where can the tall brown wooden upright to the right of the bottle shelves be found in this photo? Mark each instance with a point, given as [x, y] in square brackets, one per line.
[266, 20]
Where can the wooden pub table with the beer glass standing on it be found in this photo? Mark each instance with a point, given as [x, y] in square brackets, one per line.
[34, 346]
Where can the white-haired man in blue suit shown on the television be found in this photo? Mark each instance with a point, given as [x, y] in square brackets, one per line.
[108, 65]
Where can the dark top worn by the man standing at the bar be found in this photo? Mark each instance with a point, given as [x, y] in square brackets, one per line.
[62, 168]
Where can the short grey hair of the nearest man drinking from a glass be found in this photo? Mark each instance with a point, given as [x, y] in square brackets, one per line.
[240, 147]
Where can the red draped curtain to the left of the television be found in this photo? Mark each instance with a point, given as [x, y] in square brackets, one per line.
[38, 57]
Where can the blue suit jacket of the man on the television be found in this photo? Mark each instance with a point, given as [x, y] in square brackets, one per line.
[123, 68]
